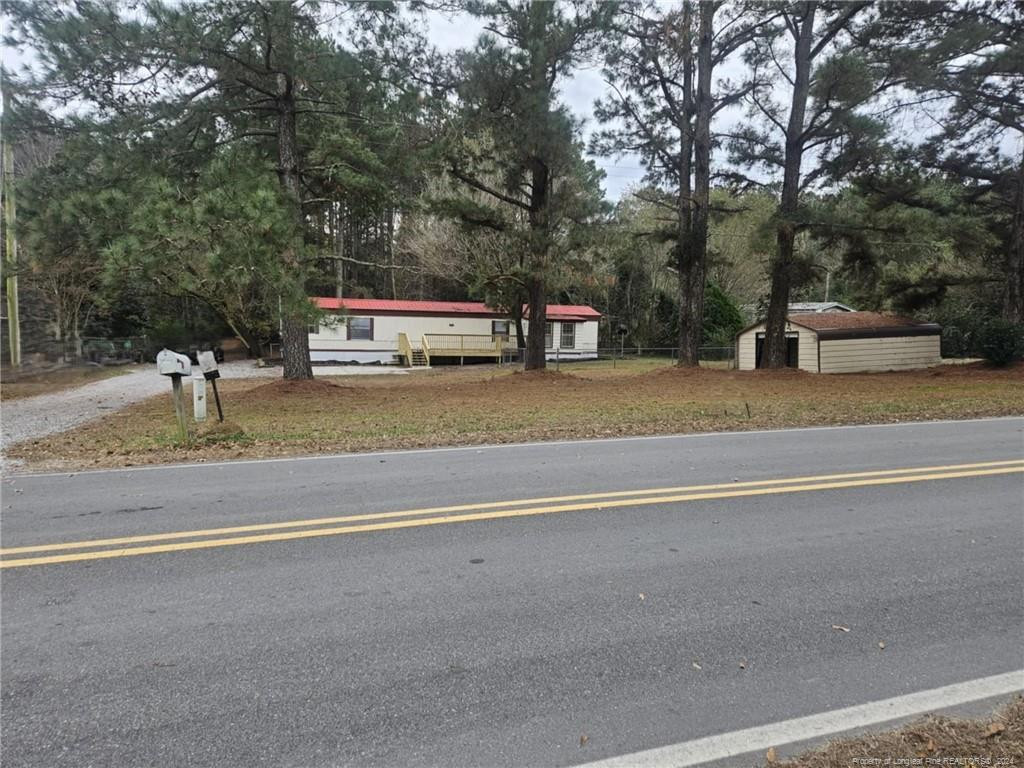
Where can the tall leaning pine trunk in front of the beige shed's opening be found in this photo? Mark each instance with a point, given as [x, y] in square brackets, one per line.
[782, 268]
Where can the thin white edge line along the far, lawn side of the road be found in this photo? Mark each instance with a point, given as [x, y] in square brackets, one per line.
[492, 446]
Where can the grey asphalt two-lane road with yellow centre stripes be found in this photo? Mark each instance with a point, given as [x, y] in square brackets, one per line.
[573, 631]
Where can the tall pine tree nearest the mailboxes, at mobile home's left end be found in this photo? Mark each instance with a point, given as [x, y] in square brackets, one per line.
[181, 80]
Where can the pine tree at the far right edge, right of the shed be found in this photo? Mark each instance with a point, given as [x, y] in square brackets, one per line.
[965, 61]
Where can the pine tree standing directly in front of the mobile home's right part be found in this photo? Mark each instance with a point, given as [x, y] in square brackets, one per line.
[524, 149]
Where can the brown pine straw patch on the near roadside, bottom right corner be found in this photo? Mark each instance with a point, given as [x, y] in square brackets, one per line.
[996, 742]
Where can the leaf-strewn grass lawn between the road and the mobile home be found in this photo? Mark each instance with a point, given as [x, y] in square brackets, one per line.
[487, 405]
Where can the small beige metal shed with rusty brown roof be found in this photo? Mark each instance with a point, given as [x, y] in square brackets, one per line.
[847, 343]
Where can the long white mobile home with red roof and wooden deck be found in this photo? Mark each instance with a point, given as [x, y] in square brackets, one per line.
[416, 332]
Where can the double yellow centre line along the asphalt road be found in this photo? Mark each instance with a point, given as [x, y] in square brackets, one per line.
[181, 541]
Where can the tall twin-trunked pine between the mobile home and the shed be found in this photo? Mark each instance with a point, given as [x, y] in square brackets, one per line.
[661, 65]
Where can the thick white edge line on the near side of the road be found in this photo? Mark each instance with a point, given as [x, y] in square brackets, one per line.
[762, 738]
